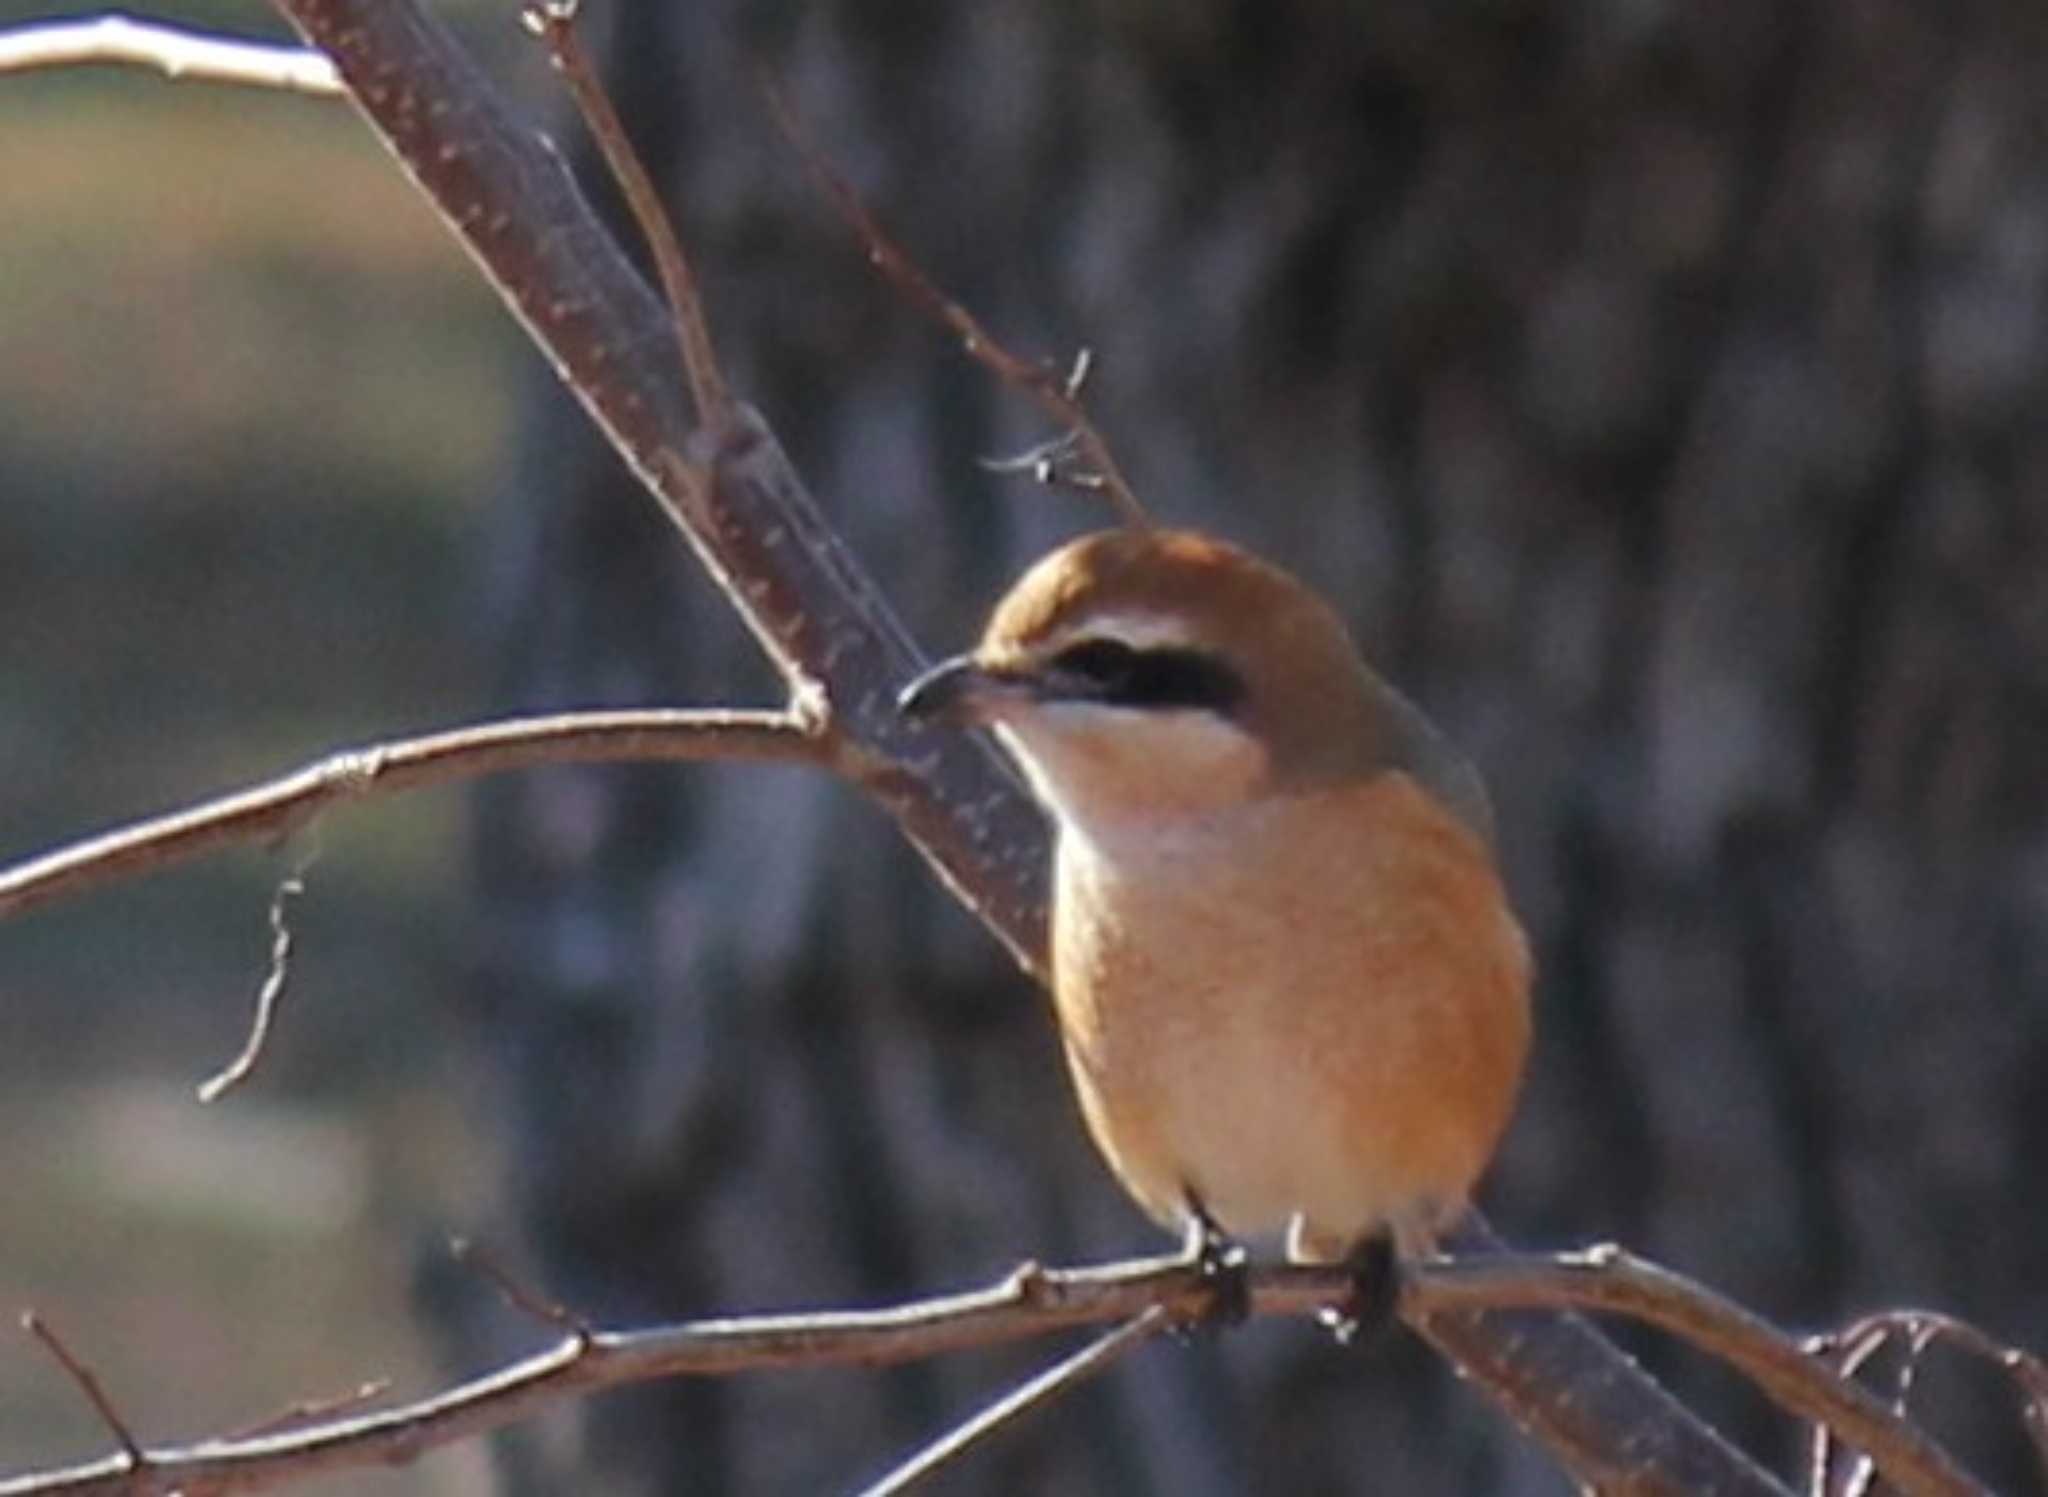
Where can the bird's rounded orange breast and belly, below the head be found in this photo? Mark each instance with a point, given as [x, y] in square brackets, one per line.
[1310, 1011]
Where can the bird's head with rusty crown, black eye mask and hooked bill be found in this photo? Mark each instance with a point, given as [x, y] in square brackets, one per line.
[1164, 673]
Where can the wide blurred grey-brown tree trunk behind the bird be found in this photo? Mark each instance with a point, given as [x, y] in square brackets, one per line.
[1658, 388]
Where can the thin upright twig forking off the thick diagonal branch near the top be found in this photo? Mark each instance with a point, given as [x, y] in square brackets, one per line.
[554, 24]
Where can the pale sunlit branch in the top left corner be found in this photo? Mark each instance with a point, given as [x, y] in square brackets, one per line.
[173, 52]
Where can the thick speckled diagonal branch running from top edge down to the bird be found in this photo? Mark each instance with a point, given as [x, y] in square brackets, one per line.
[740, 505]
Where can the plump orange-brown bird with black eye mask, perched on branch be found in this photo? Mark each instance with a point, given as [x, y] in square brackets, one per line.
[1291, 990]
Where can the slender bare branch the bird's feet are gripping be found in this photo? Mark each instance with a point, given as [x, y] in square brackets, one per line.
[1035, 1301]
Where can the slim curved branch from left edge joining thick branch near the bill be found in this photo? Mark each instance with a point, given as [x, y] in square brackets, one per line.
[284, 806]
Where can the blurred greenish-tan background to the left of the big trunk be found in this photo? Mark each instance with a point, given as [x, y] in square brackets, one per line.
[251, 400]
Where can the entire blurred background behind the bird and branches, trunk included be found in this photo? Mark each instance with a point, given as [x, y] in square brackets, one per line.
[1654, 388]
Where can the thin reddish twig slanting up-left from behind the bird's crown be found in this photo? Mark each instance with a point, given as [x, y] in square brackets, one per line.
[1054, 392]
